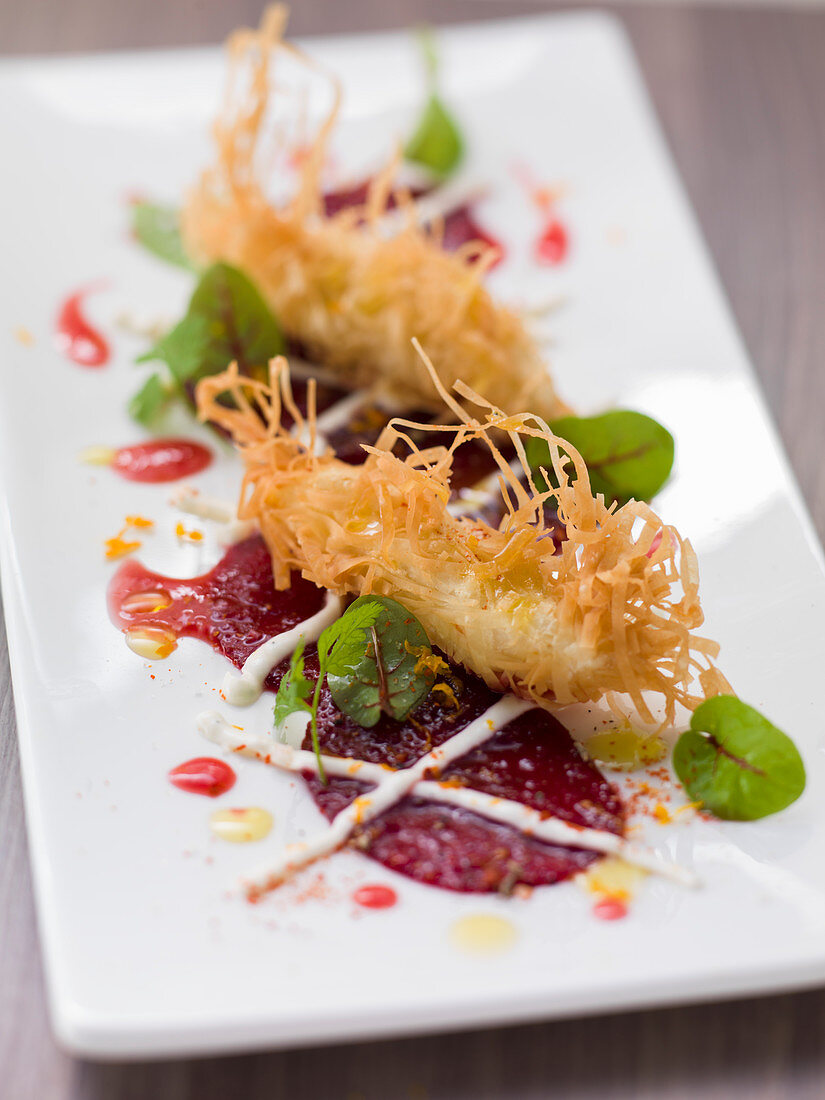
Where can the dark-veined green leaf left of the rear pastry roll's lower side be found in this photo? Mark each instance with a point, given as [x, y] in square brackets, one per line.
[227, 320]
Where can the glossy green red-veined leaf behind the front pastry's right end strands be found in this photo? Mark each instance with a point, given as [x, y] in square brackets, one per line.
[629, 456]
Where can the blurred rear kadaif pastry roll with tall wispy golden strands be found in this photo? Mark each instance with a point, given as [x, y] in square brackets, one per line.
[349, 294]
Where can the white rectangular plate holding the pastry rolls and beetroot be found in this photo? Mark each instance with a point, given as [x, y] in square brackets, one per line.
[148, 950]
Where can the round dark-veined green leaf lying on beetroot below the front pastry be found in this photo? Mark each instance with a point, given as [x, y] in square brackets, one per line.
[372, 672]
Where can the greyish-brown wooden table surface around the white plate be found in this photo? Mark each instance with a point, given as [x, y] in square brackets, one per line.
[742, 97]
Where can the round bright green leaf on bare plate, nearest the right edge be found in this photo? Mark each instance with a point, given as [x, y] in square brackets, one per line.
[736, 763]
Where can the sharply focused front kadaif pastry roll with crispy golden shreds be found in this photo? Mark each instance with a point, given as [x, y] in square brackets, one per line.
[614, 611]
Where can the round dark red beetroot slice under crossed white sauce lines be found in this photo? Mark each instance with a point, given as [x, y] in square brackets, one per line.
[533, 760]
